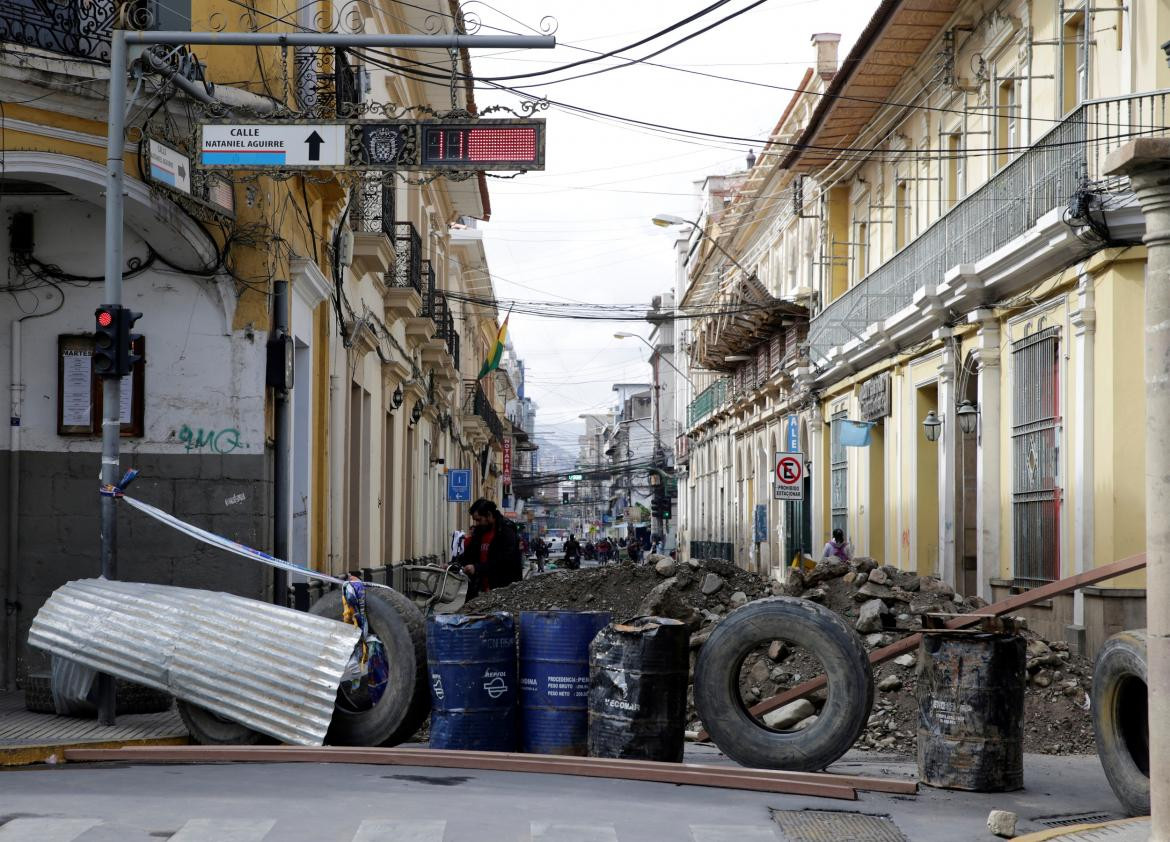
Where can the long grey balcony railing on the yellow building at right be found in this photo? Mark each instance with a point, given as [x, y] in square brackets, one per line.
[1041, 180]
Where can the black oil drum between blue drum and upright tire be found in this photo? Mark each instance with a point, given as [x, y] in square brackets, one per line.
[638, 691]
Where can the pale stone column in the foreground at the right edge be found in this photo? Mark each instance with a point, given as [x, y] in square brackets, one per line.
[1147, 162]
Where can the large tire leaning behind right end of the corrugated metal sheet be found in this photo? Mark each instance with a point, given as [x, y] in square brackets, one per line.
[359, 724]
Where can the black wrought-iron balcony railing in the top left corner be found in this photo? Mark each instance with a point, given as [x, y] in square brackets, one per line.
[78, 29]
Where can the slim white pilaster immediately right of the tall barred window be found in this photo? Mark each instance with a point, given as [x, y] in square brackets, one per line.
[1085, 506]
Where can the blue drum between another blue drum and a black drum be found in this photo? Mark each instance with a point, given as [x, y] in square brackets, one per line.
[554, 680]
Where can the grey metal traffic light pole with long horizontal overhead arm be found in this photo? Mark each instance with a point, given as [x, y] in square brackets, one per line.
[115, 178]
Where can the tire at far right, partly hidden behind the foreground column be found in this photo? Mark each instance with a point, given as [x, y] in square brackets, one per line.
[1121, 721]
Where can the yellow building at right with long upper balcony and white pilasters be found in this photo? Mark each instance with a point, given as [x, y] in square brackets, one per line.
[938, 201]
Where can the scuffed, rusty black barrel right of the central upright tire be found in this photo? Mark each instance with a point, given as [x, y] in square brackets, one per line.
[971, 693]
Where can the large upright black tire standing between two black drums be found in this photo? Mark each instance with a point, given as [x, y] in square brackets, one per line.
[803, 624]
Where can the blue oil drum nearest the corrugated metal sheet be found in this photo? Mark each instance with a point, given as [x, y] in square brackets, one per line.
[472, 659]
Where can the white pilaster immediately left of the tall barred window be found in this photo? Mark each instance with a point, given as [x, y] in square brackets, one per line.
[989, 494]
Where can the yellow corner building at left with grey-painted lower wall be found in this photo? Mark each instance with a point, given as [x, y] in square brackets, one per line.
[380, 274]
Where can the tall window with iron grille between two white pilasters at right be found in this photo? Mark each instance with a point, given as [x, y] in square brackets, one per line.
[1036, 458]
